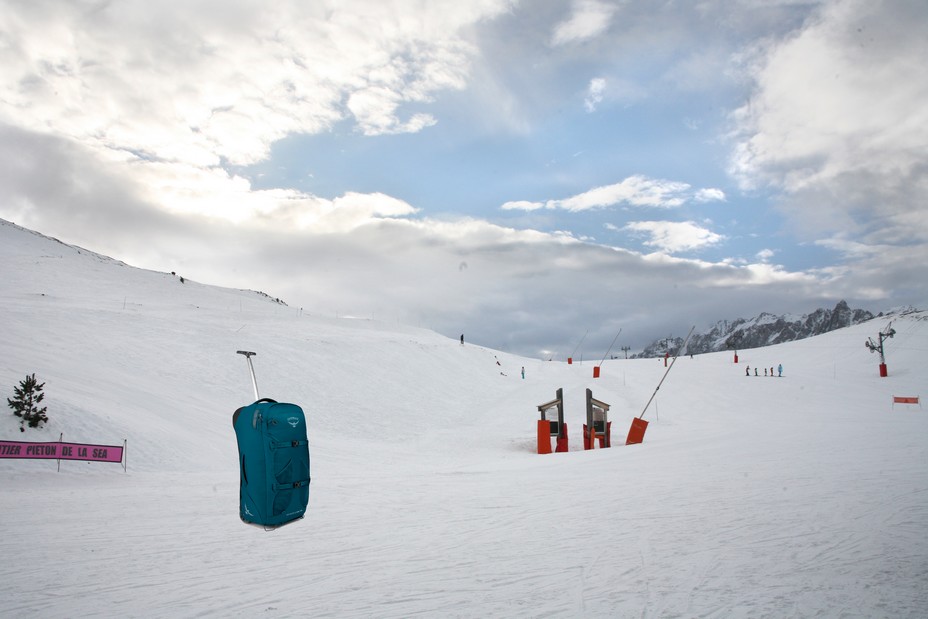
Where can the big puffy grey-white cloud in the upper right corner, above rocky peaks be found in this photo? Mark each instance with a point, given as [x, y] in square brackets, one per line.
[837, 121]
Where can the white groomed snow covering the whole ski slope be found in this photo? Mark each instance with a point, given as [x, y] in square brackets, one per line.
[800, 496]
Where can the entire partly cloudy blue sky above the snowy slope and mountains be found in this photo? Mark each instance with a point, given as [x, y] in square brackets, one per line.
[534, 175]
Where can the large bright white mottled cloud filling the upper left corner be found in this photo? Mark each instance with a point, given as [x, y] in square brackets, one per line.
[158, 85]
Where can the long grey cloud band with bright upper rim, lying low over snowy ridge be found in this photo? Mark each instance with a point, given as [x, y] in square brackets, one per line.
[371, 255]
